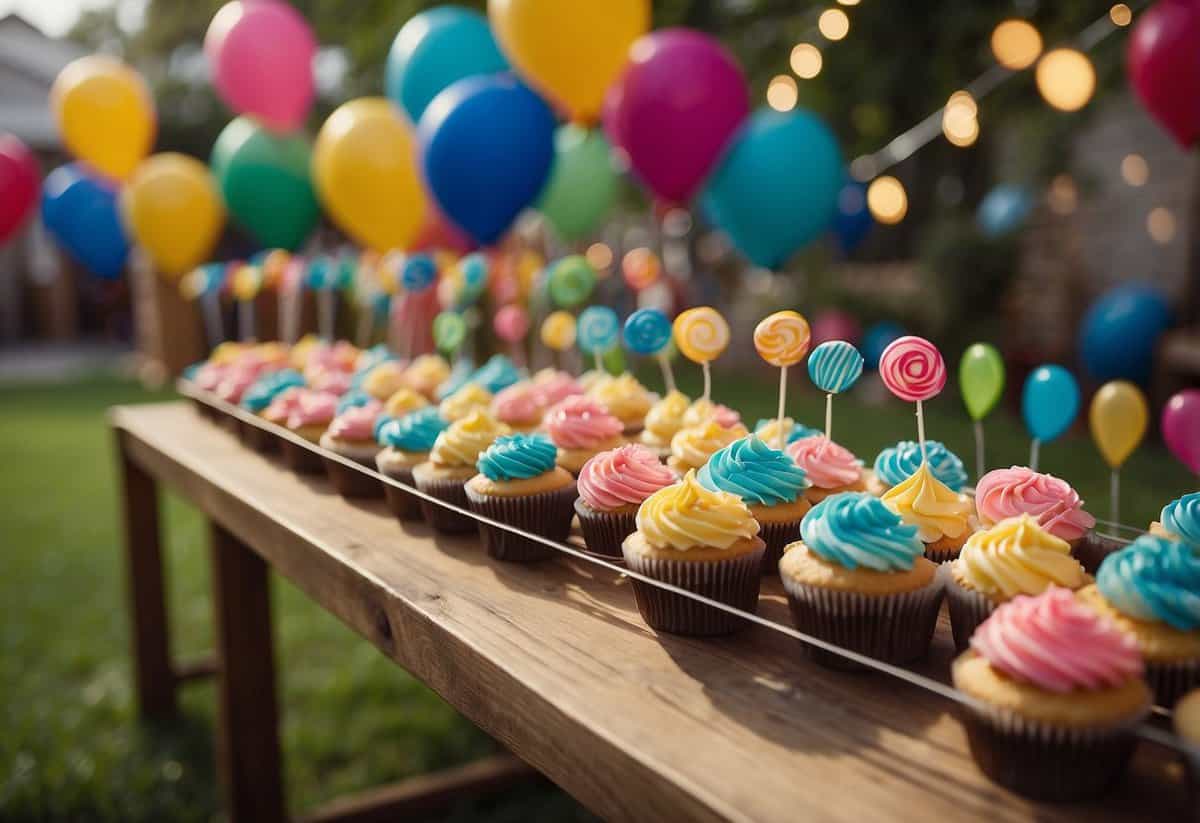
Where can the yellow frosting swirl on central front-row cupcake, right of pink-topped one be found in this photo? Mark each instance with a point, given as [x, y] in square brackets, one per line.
[686, 515]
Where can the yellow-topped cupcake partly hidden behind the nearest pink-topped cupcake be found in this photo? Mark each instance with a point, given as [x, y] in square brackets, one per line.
[1012, 558]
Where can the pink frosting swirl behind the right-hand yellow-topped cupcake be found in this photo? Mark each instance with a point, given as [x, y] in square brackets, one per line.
[1006, 494]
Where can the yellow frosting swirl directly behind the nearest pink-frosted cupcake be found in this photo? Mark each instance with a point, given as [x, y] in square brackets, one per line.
[1016, 557]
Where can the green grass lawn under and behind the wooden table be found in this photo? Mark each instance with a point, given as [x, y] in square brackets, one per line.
[71, 748]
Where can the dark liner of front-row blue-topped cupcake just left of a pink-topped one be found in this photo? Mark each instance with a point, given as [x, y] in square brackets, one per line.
[548, 515]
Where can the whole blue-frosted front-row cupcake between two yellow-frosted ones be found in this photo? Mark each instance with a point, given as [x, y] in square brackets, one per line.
[859, 579]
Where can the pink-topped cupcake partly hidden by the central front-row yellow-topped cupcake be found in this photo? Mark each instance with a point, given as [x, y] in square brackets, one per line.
[613, 485]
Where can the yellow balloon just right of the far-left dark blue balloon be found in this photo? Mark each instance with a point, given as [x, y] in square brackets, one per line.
[173, 211]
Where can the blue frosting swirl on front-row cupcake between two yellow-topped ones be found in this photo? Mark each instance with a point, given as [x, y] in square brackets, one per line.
[856, 530]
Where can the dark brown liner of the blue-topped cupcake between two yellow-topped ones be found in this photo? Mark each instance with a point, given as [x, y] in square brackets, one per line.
[893, 628]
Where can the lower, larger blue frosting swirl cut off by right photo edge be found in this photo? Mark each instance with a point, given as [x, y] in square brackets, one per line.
[1154, 579]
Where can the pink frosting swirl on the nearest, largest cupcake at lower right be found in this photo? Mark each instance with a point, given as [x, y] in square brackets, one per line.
[1057, 644]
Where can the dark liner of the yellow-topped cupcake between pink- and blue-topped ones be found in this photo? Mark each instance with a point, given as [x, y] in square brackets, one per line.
[735, 581]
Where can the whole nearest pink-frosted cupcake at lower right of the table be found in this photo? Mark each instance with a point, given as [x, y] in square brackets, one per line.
[1057, 694]
